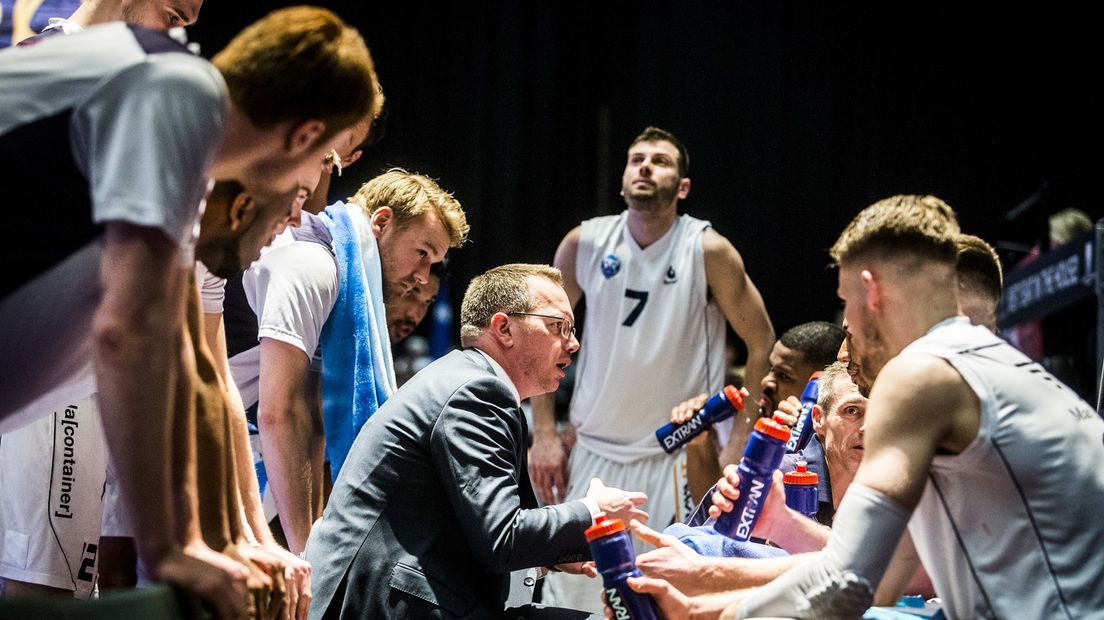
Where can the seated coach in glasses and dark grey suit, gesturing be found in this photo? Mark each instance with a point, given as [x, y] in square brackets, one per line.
[433, 509]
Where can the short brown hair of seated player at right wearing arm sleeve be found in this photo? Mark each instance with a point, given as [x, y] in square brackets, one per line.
[920, 226]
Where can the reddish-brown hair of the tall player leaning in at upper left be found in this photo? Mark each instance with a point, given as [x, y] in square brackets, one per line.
[302, 63]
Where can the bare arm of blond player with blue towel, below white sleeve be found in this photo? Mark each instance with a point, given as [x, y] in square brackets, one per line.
[286, 435]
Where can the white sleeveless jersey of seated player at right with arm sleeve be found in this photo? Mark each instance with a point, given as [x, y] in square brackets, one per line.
[1014, 527]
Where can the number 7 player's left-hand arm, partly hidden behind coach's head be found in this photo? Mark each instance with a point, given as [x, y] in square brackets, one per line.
[548, 459]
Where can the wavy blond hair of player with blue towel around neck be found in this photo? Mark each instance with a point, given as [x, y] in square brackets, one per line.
[410, 196]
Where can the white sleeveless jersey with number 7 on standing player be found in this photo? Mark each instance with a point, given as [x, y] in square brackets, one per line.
[652, 338]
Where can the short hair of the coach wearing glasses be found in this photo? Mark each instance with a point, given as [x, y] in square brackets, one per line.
[502, 290]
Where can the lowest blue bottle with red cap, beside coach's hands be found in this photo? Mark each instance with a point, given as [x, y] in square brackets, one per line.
[617, 561]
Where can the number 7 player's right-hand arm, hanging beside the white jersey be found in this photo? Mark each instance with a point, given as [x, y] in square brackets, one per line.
[742, 306]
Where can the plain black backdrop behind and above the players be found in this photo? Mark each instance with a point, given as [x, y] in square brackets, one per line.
[797, 116]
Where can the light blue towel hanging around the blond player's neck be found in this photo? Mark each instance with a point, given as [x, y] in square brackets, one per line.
[358, 372]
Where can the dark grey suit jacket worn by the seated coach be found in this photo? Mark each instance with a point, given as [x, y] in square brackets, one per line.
[433, 508]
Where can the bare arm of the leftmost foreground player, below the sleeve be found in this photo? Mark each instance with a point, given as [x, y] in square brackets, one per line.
[137, 336]
